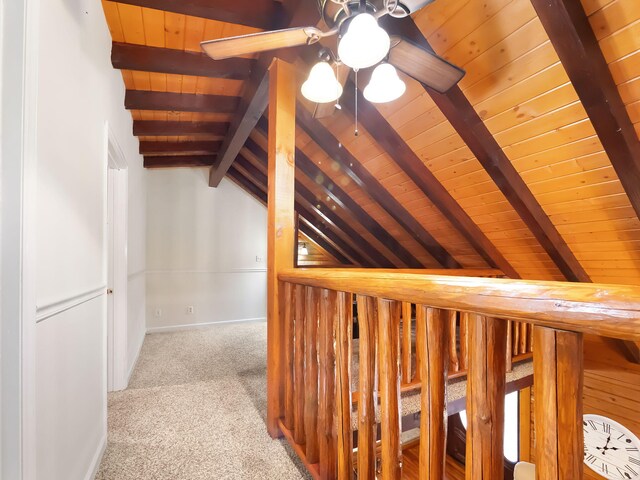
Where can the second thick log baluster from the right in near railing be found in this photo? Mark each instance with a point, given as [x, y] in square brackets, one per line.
[486, 381]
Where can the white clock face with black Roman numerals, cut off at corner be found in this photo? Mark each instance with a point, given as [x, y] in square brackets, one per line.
[610, 449]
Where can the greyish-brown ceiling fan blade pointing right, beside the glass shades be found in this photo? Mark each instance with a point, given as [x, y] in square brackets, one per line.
[423, 65]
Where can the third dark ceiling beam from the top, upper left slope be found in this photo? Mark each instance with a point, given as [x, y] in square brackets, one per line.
[179, 102]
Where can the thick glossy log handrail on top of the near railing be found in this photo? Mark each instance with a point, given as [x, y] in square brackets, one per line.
[600, 309]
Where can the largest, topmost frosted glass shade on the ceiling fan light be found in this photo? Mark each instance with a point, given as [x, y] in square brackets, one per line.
[364, 44]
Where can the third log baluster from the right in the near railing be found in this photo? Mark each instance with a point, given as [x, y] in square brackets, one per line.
[432, 332]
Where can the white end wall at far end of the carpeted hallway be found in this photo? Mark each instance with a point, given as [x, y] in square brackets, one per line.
[202, 245]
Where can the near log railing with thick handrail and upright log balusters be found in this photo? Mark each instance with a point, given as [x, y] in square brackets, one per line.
[493, 322]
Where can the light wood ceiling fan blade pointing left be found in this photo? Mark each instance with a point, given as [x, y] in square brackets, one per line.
[259, 42]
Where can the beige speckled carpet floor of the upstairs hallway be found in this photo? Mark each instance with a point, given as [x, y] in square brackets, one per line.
[195, 410]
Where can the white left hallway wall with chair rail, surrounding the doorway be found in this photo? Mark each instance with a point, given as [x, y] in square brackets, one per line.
[78, 93]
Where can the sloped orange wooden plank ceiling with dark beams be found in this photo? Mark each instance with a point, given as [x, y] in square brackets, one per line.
[519, 168]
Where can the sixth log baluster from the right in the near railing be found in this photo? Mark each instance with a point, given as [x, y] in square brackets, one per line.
[344, 336]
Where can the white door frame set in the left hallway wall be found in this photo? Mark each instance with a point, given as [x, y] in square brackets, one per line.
[116, 263]
